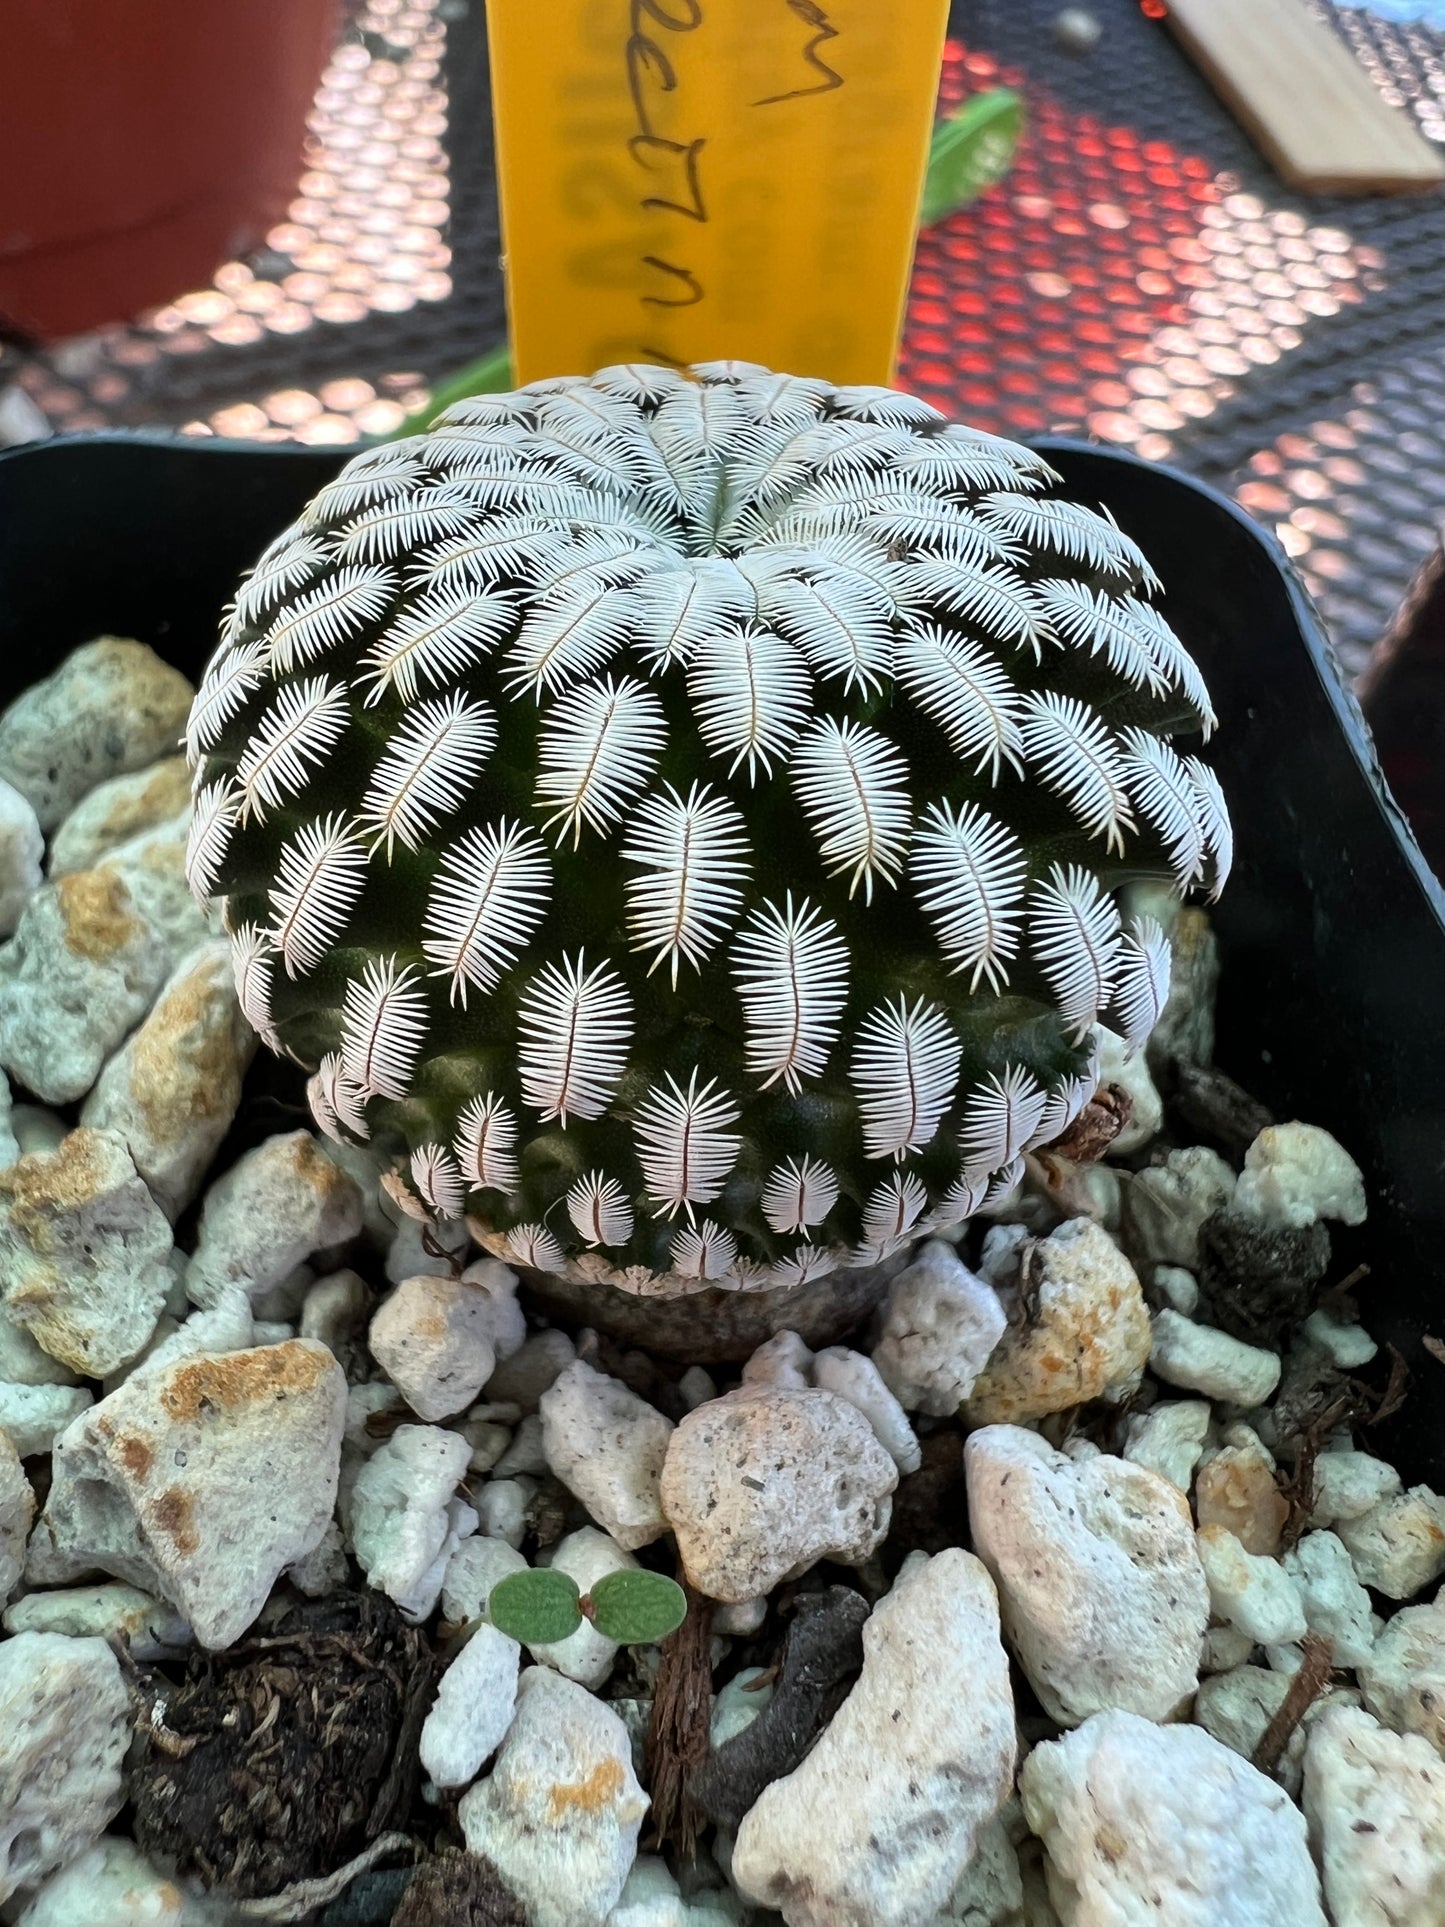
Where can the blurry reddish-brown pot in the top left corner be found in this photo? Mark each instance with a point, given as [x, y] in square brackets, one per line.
[145, 142]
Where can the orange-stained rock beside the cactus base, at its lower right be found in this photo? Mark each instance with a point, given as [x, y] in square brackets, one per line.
[1078, 1331]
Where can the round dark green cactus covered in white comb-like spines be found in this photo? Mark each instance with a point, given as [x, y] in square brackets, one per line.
[691, 816]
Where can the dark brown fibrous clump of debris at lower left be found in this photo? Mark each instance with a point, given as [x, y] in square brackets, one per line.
[284, 1756]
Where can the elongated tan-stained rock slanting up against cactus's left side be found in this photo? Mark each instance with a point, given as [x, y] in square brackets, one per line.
[174, 1088]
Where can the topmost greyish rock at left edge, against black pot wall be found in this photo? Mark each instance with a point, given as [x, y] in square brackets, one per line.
[111, 708]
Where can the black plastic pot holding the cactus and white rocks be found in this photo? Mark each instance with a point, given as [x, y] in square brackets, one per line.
[1332, 930]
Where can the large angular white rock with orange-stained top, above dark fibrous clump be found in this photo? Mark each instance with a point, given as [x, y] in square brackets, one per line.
[199, 1481]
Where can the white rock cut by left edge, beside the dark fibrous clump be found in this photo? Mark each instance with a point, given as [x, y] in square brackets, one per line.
[65, 1728]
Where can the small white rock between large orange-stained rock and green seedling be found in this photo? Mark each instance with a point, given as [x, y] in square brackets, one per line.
[402, 1516]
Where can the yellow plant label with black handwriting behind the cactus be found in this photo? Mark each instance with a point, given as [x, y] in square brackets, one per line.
[706, 180]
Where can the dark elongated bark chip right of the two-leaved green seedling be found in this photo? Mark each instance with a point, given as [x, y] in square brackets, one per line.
[820, 1662]
